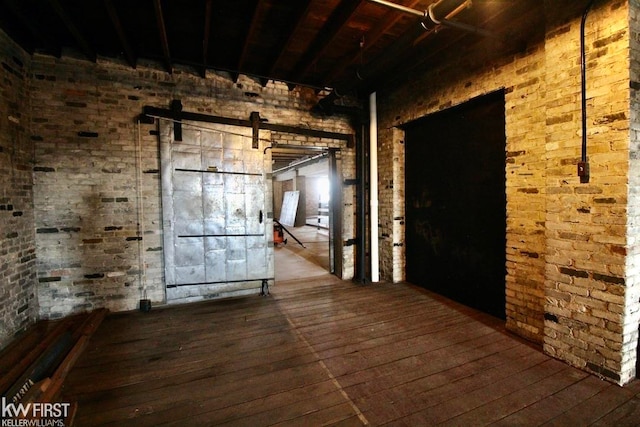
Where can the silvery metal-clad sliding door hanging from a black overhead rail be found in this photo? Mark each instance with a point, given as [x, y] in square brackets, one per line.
[216, 206]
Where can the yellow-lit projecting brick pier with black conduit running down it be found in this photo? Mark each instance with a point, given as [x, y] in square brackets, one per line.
[586, 223]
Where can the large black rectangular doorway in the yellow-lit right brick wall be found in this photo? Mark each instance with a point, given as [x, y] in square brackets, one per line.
[456, 203]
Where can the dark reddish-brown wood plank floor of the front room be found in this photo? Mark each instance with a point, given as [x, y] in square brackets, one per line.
[320, 351]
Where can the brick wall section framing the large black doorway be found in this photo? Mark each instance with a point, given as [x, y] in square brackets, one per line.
[522, 78]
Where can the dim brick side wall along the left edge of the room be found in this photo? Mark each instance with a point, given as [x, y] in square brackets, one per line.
[18, 302]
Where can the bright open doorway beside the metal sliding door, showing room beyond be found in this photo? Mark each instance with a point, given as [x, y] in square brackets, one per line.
[303, 212]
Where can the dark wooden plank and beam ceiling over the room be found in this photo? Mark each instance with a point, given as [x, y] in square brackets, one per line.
[354, 45]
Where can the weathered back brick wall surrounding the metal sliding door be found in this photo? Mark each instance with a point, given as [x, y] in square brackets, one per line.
[90, 248]
